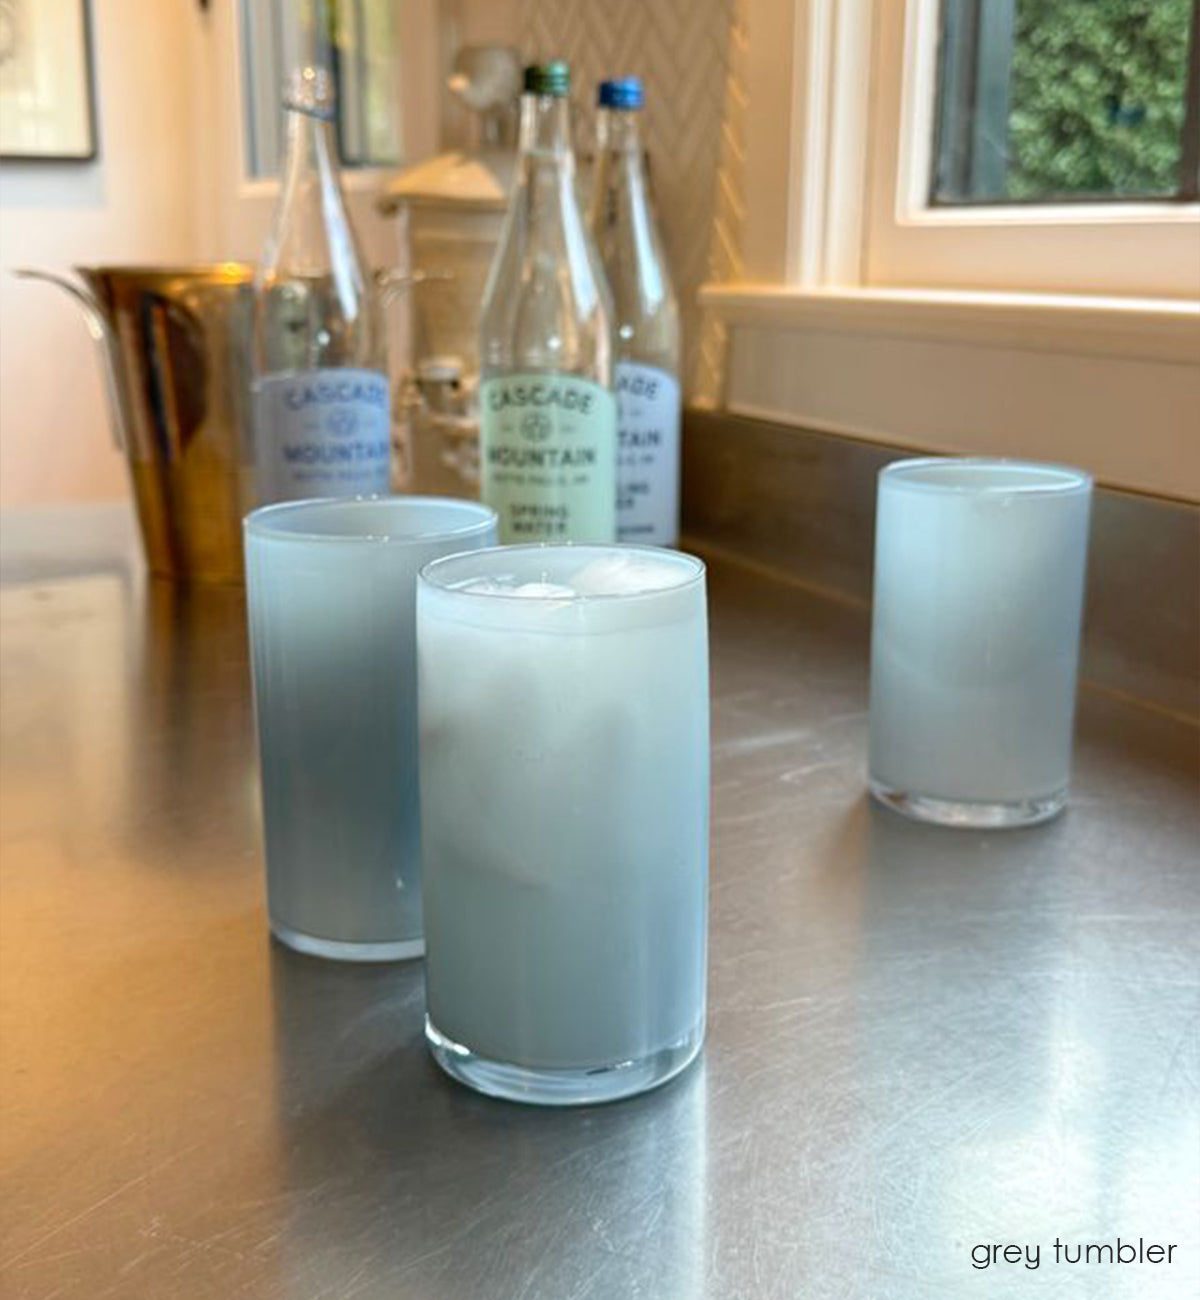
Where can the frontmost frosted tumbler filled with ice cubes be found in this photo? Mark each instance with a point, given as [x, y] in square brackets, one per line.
[565, 804]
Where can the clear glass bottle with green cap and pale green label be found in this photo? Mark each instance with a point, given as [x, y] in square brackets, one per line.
[548, 415]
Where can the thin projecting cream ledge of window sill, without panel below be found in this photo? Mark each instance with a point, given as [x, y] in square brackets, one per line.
[1150, 330]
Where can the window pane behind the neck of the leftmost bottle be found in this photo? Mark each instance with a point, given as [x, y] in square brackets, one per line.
[365, 60]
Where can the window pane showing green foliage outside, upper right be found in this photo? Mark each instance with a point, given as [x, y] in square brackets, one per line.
[1042, 101]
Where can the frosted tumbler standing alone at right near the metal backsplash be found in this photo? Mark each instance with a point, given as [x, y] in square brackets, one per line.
[980, 570]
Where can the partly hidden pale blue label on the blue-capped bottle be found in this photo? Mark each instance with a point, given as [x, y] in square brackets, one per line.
[648, 456]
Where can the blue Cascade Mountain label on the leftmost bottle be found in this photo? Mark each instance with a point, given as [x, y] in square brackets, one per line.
[323, 434]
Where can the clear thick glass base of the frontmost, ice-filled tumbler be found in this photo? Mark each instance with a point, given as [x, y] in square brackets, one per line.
[562, 1087]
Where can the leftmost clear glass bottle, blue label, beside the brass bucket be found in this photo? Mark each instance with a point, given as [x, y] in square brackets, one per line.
[322, 401]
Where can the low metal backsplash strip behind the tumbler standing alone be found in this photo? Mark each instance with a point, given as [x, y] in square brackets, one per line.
[803, 504]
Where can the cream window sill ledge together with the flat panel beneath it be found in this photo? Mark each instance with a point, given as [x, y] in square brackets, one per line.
[1112, 385]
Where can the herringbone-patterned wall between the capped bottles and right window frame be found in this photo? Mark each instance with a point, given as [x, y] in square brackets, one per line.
[691, 57]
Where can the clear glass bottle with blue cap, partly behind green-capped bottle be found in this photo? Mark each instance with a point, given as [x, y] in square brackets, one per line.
[647, 317]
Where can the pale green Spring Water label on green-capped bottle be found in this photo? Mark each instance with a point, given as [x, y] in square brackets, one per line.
[548, 452]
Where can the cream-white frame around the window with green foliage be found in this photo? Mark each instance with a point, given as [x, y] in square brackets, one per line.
[839, 137]
